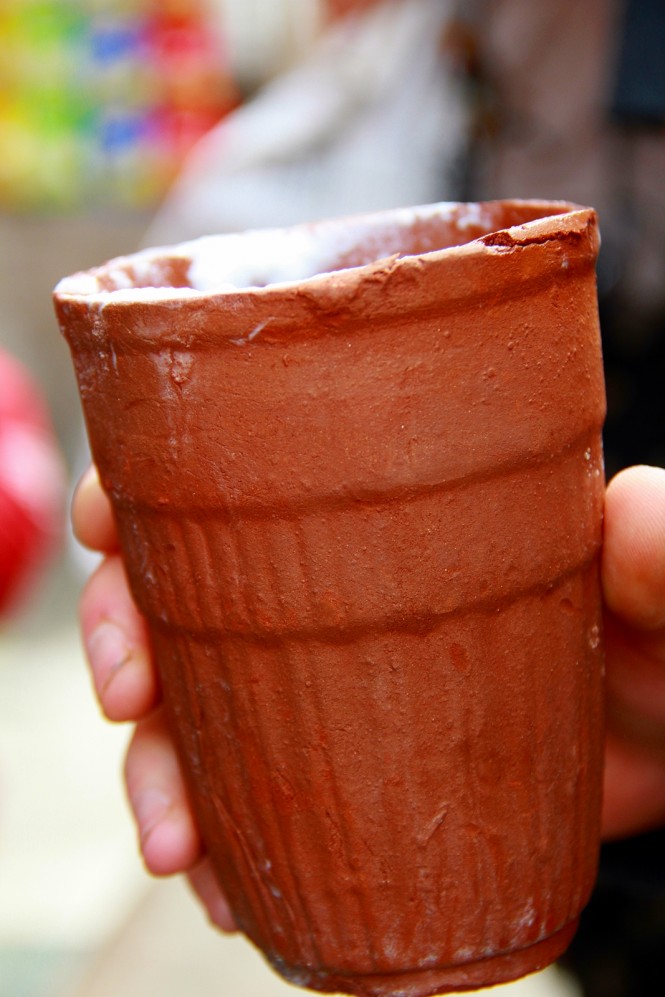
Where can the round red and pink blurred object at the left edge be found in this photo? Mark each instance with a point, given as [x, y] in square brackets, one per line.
[32, 485]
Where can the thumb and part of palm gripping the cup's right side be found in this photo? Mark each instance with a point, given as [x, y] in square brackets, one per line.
[633, 577]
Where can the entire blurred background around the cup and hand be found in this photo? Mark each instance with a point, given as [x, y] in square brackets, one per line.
[128, 122]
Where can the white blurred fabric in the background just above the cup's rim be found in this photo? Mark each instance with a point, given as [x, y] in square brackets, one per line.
[372, 118]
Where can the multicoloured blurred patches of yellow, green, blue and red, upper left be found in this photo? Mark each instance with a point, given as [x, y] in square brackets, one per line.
[101, 99]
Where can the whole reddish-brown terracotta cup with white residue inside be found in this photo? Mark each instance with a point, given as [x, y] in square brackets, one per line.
[357, 474]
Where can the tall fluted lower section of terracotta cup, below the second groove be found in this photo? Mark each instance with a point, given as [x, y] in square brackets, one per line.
[492, 772]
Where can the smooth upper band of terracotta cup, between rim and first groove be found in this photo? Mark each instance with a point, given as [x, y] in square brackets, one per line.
[455, 390]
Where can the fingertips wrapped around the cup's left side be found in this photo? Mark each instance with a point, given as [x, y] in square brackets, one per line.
[117, 647]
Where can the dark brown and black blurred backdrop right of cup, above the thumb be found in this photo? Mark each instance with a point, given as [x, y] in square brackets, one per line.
[572, 106]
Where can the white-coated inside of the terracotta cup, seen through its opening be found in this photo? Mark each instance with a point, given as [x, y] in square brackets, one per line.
[257, 259]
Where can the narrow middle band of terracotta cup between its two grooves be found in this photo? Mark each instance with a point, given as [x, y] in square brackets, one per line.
[342, 566]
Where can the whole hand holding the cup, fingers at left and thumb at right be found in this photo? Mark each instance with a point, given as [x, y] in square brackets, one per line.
[633, 579]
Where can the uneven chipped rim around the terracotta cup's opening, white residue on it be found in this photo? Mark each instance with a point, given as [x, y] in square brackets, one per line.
[113, 284]
